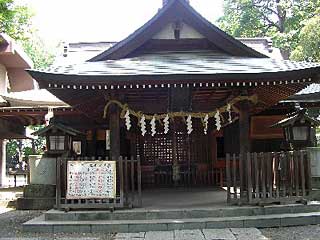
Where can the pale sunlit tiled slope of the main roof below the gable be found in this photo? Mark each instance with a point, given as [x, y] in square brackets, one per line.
[181, 63]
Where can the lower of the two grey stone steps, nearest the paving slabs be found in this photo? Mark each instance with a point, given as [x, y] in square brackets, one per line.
[110, 226]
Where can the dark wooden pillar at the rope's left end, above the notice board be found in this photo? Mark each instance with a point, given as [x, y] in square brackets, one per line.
[114, 124]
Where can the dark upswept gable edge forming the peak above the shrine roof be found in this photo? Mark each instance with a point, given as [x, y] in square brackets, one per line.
[171, 12]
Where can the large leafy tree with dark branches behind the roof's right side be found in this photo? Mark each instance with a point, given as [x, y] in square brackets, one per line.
[279, 19]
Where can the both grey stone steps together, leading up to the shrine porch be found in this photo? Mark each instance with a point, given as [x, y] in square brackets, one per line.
[142, 220]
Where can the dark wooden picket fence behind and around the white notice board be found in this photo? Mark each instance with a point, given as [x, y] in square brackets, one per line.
[128, 187]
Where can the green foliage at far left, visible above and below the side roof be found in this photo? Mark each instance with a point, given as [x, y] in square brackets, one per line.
[15, 20]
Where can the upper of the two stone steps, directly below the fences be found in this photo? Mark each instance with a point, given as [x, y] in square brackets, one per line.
[143, 214]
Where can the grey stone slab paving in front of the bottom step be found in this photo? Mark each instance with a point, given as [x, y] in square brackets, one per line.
[205, 234]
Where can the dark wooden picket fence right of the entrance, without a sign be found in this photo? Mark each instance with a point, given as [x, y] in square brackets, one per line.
[268, 177]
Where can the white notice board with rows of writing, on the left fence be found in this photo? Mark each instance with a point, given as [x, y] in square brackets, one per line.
[91, 179]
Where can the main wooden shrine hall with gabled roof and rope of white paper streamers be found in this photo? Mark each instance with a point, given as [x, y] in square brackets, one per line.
[180, 94]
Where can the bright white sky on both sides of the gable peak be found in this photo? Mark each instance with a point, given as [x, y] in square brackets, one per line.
[102, 20]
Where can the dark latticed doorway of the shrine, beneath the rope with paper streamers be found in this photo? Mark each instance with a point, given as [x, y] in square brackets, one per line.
[178, 159]
